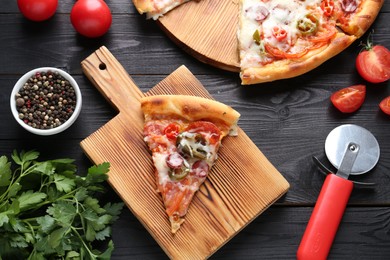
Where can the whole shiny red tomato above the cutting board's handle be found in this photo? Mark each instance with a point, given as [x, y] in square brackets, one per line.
[91, 18]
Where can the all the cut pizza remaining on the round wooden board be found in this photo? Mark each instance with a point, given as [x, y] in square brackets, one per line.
[279, 39]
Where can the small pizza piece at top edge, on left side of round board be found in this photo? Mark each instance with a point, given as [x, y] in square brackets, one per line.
[156, 8]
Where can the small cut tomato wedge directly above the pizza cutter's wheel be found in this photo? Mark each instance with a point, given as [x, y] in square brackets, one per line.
[349, 99]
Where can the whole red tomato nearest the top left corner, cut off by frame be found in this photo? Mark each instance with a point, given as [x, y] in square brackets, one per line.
[38, 10]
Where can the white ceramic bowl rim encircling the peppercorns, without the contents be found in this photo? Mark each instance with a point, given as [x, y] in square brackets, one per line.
[19, 84]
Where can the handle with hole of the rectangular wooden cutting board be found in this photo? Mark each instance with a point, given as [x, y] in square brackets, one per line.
[112, 80]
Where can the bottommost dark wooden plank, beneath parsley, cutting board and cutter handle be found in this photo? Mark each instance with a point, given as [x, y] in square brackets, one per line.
[275, 234]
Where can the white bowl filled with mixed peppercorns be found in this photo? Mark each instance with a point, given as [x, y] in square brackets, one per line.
[46, 101]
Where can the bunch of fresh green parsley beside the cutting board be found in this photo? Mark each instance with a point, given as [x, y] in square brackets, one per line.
[47, 211]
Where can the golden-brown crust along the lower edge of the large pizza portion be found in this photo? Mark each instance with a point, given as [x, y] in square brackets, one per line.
[282, 69]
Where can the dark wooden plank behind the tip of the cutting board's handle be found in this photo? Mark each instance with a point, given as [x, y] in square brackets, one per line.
[140, 45]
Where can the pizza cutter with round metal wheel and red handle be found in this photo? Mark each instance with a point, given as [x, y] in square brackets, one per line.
[352, 150]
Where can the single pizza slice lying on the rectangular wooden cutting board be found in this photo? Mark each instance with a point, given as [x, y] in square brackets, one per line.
[184, 134]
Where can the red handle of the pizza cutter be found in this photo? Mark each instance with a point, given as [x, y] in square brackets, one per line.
[325, 219]
